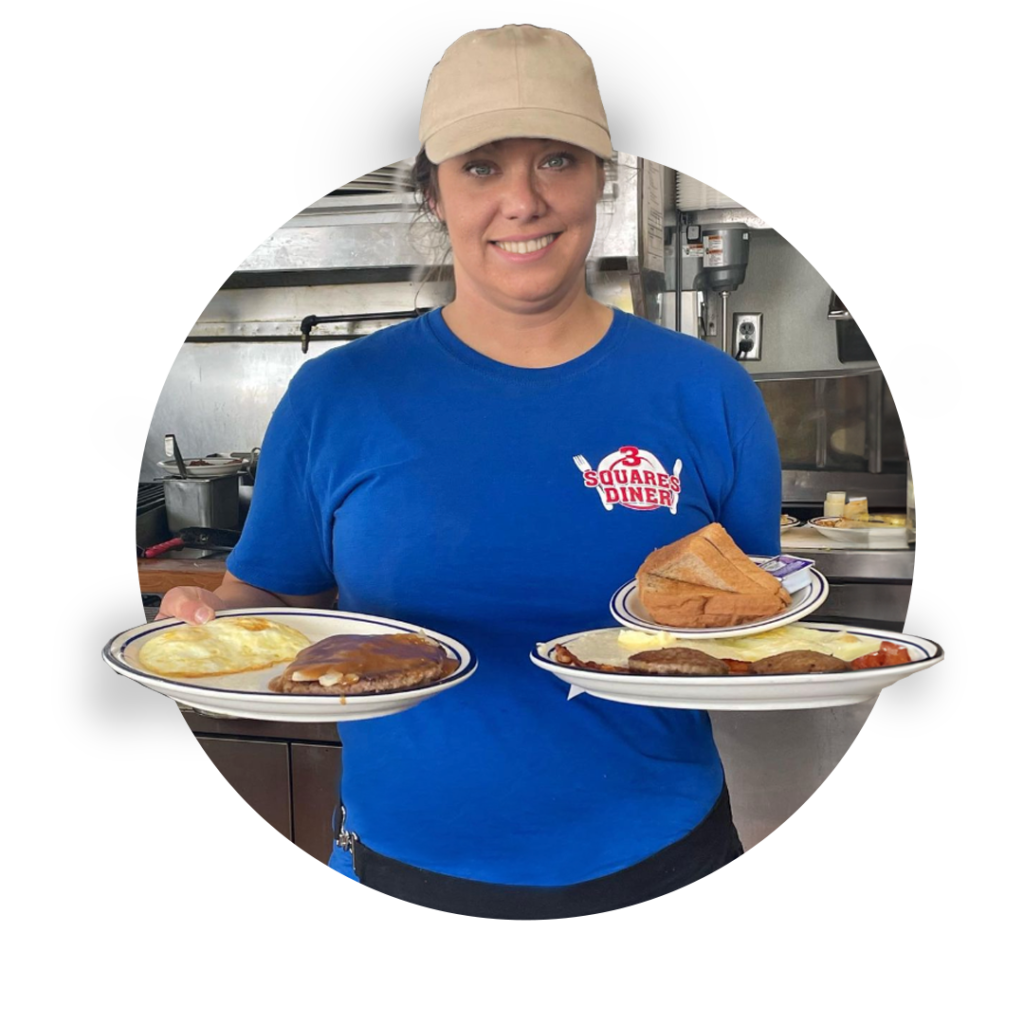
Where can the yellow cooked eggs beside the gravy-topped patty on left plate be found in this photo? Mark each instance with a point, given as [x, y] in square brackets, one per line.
[224, 647]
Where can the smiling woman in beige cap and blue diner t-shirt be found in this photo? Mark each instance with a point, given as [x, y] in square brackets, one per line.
[440, 473]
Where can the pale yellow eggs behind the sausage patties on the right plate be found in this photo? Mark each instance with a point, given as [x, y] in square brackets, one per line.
[614, 648]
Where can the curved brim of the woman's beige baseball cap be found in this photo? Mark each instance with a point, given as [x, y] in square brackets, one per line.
[471, 134]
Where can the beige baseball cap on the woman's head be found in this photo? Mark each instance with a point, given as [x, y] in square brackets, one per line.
[515, 82]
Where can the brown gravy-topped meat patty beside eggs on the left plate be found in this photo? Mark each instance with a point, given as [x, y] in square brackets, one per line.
[361, 664]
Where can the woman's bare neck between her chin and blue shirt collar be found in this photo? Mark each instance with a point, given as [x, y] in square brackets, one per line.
[533, 339]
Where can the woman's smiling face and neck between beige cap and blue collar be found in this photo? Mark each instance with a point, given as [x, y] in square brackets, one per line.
[521, 217]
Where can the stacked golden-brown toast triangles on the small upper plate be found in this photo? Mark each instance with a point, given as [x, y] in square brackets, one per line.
[705, 581]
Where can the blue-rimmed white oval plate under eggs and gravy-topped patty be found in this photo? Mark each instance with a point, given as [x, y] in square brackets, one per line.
[247, 695]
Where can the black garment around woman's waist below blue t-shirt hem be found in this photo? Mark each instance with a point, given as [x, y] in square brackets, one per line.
[711, 846]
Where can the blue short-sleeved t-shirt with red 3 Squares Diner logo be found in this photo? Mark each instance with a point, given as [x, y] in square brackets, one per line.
[504, 506]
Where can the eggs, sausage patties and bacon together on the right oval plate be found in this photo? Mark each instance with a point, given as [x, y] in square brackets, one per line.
[818, 651]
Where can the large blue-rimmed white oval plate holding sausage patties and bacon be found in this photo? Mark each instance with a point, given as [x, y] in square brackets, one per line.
[826, 690]
